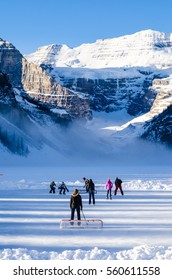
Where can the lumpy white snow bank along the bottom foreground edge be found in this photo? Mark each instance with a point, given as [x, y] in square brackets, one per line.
[143, 252]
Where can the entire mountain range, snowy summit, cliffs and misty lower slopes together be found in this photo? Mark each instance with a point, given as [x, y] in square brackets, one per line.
[124, 83]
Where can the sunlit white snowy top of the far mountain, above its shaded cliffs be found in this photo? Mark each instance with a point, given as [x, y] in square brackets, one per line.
[145, 48]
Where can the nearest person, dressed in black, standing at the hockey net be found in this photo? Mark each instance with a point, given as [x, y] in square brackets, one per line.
[76, 204]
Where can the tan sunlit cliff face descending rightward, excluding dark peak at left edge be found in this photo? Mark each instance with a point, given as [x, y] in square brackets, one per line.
[42, 87]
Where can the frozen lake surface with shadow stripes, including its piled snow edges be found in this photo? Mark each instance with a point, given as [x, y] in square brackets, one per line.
[140, 222]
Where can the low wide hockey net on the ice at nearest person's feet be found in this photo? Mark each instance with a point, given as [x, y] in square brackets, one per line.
[88, 223]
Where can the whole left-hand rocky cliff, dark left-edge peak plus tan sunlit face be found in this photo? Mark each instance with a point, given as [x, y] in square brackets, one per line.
[34, 81]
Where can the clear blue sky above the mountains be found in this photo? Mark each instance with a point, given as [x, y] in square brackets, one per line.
[29, 24]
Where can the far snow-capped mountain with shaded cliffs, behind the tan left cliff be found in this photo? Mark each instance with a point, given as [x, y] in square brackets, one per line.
[120, 73]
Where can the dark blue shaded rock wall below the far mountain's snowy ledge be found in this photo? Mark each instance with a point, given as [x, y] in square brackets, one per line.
[113, 94]
